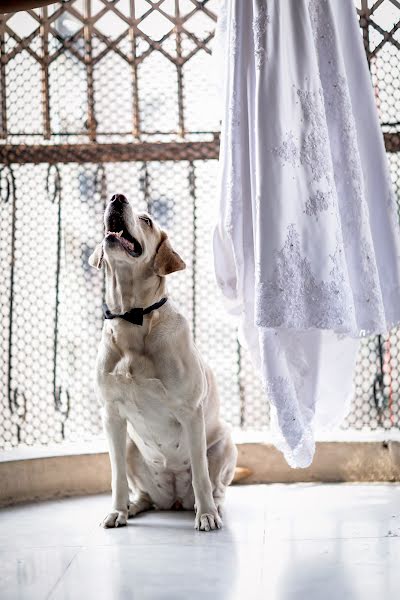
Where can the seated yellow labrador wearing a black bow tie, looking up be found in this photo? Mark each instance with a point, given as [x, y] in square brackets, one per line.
[167, 443]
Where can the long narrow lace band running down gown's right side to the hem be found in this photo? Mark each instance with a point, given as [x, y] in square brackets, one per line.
[354, 211]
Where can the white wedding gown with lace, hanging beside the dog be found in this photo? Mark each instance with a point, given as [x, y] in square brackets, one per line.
[307, 247]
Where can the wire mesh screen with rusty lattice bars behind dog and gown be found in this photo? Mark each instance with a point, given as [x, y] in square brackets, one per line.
[99, 97]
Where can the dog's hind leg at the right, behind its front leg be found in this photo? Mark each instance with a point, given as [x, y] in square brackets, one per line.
[222, 458]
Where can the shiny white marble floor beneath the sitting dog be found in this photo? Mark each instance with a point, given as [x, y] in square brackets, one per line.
[284, 542]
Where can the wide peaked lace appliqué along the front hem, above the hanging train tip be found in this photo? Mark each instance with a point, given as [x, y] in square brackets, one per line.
[294, 298]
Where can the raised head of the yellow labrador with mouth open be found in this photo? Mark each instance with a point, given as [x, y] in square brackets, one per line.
[134, 240]
